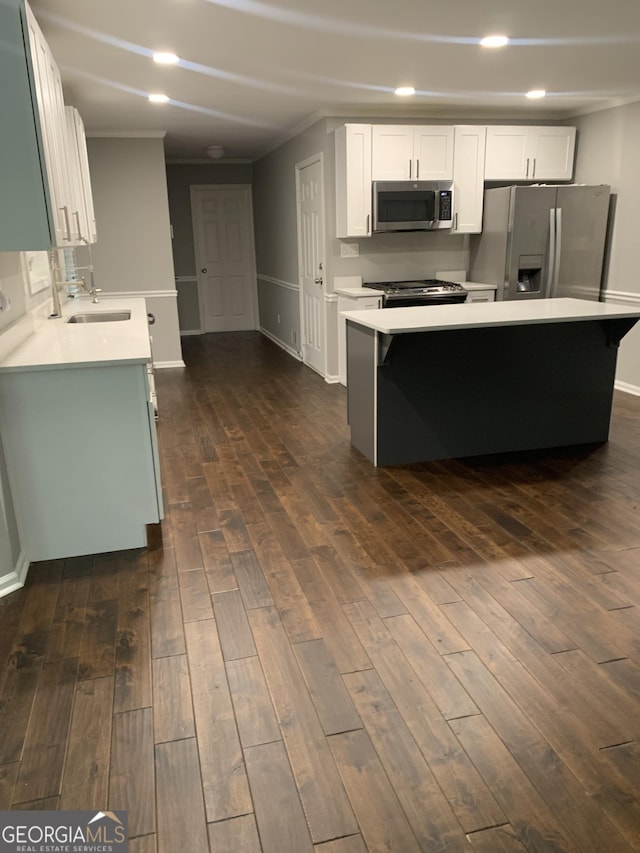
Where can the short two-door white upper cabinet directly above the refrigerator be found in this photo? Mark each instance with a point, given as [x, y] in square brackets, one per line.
[522, 153]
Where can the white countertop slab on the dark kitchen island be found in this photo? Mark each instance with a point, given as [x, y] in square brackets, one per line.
[394, 321]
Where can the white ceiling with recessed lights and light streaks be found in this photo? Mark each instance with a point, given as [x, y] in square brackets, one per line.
[254, 71]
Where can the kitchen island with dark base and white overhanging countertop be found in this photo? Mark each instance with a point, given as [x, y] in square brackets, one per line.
[470, 379]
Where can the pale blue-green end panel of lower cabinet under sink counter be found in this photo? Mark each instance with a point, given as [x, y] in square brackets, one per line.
[82, 458]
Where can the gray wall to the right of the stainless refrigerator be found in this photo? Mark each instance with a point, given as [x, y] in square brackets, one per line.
[607, 152]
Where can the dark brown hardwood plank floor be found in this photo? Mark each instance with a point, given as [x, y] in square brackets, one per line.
[313, 654]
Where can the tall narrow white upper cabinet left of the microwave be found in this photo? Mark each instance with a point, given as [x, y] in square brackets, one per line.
[353, 180]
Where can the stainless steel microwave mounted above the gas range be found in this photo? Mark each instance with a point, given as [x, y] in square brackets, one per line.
[412, 205]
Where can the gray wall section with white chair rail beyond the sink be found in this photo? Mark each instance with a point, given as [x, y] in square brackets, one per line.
[133, 252]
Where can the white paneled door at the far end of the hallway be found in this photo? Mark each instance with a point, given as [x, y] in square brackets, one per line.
[225, 259]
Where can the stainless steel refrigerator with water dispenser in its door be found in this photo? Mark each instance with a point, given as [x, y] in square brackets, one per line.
[542, 241]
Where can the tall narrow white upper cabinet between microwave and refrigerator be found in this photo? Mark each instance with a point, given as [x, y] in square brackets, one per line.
[468, 179]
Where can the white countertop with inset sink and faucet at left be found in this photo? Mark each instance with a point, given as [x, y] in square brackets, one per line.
[56, 344]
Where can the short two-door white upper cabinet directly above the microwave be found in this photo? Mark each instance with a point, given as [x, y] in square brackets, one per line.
[407, 152]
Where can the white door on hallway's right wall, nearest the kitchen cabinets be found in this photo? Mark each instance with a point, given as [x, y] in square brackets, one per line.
[311, 252]
